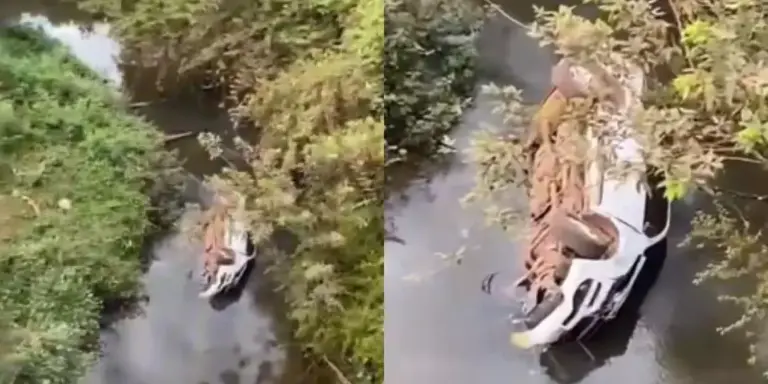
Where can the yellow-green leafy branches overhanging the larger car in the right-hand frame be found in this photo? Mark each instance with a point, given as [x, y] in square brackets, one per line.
[704, 112]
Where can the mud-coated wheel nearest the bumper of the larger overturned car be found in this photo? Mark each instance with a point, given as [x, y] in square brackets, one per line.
[577, 235]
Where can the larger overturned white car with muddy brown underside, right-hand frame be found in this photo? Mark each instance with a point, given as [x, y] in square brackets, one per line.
[591, 229]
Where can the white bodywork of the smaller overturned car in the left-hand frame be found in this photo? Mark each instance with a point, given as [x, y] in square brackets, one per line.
[228, 275]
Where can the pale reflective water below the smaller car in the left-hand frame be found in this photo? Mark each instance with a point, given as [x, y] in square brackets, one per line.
[181, 339]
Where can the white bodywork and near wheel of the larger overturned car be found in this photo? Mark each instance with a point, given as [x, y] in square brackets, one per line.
[601, 273]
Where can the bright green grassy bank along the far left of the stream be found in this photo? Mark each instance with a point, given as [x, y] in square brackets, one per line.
[75, 172]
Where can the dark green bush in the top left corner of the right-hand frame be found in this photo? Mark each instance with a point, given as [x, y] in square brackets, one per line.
[429, 70]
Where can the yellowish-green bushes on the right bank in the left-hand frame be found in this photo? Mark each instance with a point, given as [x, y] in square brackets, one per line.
[305, 76]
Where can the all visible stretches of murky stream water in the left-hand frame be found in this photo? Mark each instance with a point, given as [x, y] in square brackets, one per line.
[177, 338]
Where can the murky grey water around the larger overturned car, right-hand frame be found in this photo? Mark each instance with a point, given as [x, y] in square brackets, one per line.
[440, 327]
